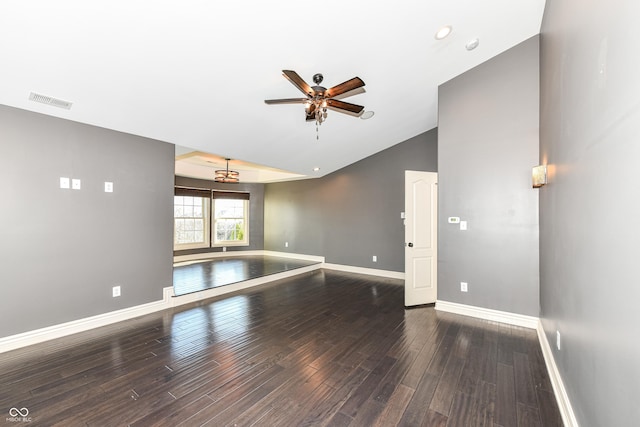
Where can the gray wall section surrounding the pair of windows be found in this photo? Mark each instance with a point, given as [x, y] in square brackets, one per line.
[256, 212]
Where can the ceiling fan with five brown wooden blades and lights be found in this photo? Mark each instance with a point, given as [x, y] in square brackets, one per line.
[319, 98]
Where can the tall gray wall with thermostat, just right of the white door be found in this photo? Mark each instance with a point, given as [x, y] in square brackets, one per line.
[488, 143]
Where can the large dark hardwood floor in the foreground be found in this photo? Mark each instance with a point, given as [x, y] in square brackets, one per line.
[322, 348]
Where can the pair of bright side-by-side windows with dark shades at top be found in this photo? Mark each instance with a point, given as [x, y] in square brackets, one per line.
[197, 212]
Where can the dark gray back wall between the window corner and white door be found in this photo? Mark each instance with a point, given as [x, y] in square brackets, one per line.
[352, 214]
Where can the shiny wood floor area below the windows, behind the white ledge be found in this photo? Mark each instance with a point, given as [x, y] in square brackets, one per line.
[194, 276]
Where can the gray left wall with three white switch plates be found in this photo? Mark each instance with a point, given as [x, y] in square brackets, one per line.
[63, 250]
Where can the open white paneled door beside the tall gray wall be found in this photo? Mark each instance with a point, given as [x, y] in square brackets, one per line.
[421, 237]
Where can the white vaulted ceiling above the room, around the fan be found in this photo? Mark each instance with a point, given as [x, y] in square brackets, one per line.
[196, 73]
